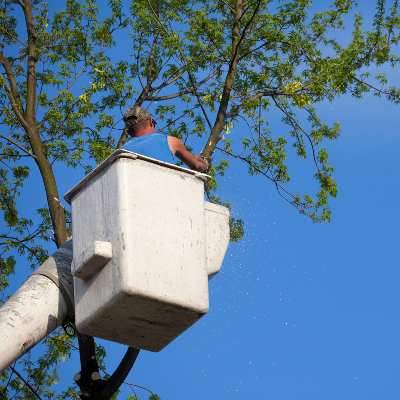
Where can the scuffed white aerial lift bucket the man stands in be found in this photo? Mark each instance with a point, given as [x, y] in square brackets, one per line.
[145, 244]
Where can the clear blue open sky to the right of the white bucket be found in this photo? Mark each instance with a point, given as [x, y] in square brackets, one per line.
[298, 311]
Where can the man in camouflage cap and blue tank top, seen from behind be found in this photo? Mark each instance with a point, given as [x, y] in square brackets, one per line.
[141, 126]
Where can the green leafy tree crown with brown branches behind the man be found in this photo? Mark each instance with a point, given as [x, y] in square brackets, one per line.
[205, 69]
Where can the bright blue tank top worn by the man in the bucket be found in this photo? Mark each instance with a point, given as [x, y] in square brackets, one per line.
[152, 145]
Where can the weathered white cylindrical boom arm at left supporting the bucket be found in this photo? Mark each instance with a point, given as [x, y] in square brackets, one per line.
[36, 309]
